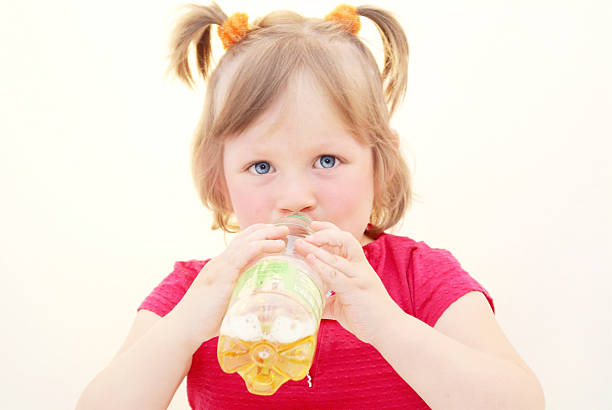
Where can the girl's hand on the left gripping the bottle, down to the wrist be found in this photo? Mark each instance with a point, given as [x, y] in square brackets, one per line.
[205, 303]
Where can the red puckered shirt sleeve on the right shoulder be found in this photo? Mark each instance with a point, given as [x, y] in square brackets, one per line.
[438, 280]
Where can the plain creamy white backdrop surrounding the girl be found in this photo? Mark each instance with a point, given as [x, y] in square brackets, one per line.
[506, 126]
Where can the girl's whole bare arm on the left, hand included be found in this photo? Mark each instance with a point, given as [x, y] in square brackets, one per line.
[157, 353]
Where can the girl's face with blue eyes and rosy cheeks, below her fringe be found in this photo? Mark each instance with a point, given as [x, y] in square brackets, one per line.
[298, 157]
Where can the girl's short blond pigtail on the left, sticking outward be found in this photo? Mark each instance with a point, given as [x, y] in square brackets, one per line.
[193, 27]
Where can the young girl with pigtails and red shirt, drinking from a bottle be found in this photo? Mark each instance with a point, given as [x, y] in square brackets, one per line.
[296, 119]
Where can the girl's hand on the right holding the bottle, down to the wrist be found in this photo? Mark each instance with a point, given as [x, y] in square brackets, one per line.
[361, 304]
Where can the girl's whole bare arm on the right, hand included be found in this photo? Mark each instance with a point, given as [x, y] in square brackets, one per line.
[465, 362]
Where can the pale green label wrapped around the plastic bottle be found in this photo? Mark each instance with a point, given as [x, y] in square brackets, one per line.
[280, 276]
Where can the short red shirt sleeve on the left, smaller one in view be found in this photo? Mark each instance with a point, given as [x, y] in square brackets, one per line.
[172, 289]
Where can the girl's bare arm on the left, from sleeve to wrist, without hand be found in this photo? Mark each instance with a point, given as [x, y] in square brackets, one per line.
[148, 369]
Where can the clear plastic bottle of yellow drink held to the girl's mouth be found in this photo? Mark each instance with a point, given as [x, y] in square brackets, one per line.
[269, 333]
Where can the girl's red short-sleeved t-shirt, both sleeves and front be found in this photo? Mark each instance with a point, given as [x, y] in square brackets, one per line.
[346, 373]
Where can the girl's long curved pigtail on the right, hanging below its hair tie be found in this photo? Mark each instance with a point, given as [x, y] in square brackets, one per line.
[395, 70]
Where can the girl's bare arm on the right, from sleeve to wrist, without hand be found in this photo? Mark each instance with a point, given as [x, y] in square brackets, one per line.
[465, 362]
